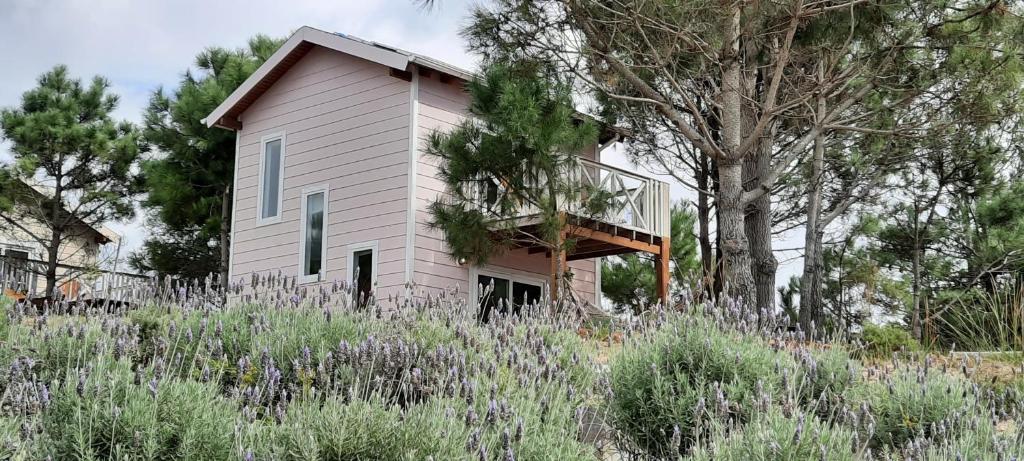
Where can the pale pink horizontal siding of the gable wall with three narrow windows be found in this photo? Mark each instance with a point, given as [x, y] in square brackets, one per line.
[347, 125]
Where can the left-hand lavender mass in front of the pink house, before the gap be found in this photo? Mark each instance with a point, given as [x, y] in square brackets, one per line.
[285, 371]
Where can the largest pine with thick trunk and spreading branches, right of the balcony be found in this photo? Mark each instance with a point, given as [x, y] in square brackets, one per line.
[731, 77]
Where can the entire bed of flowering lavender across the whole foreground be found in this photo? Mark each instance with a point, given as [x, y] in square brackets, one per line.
[287, 372]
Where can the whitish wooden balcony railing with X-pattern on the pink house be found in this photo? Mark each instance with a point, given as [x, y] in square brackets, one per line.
[629, 201]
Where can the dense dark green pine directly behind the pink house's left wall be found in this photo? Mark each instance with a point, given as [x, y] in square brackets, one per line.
[191, 179]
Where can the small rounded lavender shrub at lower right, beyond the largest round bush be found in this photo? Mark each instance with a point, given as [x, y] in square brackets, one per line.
[910, 404]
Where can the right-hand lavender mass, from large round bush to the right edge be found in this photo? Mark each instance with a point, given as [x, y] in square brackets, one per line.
[712, 384]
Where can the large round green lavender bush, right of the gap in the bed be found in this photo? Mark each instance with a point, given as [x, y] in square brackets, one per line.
[659, 383]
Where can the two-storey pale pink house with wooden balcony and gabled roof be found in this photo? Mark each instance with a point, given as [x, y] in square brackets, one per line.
[332, 182]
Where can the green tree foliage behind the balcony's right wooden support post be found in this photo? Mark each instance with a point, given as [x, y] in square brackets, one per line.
[630, 282]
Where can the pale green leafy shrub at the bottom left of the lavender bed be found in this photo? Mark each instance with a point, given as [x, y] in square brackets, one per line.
[104, 415]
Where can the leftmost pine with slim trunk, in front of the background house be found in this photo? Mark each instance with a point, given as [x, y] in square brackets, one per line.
[74, 164]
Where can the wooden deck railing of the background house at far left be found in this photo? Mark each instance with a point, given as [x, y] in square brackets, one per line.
[22, 278]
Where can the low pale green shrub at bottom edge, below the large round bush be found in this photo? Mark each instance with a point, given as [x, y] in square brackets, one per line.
[773, 436]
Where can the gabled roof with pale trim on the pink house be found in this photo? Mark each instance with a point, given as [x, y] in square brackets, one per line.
[227, 115]
